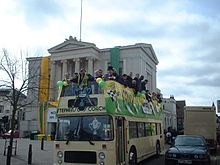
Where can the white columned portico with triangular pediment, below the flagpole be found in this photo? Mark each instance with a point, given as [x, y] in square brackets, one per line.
[69, 57]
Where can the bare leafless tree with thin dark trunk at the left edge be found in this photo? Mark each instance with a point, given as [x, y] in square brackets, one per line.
[15, 77]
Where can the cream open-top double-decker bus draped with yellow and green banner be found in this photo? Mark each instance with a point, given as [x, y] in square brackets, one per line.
[114, 127]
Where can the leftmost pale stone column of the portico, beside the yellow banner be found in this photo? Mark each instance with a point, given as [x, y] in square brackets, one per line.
[52, 80]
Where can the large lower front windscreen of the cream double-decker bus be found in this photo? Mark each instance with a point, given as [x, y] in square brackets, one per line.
[85, 128]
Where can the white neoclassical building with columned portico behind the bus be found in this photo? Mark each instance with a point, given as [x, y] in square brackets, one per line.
[72, 55]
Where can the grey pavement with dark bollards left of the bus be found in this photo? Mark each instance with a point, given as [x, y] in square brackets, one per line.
[39, 157]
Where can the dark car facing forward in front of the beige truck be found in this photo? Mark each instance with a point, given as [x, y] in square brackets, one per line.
[188, 149]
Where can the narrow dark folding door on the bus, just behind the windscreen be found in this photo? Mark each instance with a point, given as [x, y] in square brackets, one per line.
[120, 141]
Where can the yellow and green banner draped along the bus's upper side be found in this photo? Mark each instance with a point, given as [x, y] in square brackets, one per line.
[121, 100]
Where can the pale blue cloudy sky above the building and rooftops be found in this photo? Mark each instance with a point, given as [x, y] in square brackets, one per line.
[185, 35]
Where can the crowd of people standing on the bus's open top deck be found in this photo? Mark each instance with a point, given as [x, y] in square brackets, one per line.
[137, 84]
